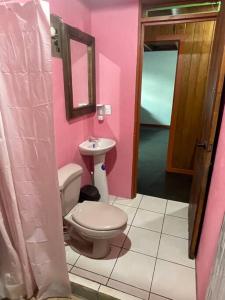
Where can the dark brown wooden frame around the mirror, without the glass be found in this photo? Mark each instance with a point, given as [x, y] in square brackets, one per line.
[71, 33]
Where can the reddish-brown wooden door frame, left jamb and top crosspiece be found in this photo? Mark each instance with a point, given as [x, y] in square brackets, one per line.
[143, 22]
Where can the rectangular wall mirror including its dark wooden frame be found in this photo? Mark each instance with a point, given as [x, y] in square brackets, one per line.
[78, 54]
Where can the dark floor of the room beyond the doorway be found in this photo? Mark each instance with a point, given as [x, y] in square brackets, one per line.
[153, 180]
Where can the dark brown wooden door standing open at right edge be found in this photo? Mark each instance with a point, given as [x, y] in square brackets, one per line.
[205, 143]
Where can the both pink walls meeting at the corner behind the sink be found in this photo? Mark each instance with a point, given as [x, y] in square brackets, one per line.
[115, 27]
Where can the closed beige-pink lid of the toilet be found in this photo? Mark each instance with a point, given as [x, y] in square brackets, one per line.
[99, 216]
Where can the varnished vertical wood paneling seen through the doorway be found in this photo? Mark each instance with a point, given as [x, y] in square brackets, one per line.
[195, 45]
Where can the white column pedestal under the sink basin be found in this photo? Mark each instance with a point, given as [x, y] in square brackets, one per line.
[100, 180]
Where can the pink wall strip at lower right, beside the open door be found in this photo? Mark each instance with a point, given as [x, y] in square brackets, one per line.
[213, 219]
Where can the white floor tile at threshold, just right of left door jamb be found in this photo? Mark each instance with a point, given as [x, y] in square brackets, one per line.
[153, 204]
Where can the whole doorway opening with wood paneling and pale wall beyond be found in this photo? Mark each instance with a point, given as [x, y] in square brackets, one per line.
[176, 61]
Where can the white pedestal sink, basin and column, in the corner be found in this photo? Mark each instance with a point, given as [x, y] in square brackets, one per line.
[98, 148]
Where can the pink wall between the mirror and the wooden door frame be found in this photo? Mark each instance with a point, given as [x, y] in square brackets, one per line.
[115, 28]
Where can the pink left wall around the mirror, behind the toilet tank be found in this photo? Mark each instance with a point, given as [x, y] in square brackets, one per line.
[69, 135]
